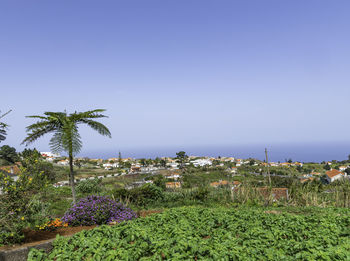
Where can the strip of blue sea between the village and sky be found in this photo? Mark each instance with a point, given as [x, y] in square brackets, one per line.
[302, 152]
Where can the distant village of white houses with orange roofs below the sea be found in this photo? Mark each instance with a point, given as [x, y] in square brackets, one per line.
[172, 167]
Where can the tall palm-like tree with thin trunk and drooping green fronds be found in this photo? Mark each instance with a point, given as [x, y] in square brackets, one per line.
[65, 133]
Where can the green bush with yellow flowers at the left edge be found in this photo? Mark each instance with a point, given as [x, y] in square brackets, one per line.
[20, 204]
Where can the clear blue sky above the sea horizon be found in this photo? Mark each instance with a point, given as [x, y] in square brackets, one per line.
[180, 73]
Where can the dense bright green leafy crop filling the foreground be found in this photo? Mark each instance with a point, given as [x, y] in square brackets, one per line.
[196, 233]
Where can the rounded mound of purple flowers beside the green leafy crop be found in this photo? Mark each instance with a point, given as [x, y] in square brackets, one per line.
[97, 210]
